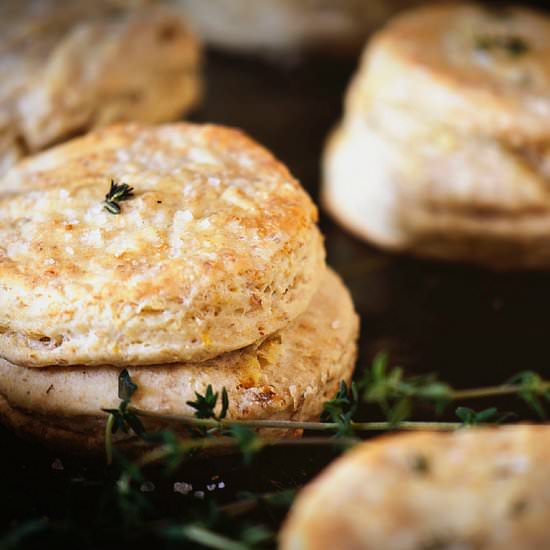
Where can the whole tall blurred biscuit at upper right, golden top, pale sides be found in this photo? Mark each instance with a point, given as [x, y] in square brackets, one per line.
[443, 150]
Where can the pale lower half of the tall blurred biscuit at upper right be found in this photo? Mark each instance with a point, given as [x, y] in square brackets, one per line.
[435, 204]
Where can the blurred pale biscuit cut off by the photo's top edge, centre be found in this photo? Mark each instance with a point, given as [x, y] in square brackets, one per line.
[275, 25]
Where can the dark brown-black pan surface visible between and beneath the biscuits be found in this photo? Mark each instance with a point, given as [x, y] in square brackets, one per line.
[472, 327]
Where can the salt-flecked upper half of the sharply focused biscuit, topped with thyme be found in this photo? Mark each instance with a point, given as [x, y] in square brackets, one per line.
[217, 249]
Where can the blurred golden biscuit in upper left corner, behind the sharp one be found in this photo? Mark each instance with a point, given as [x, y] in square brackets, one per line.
[69, 66]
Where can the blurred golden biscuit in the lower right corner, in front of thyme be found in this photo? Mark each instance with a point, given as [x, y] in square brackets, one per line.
[478, 488]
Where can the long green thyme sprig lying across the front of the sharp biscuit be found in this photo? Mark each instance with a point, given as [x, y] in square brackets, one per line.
[389, 388]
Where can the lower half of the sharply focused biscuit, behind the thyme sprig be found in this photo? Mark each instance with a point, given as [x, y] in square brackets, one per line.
[287, 376]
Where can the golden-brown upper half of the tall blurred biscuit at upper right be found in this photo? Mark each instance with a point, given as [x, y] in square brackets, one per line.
[473, 67]
